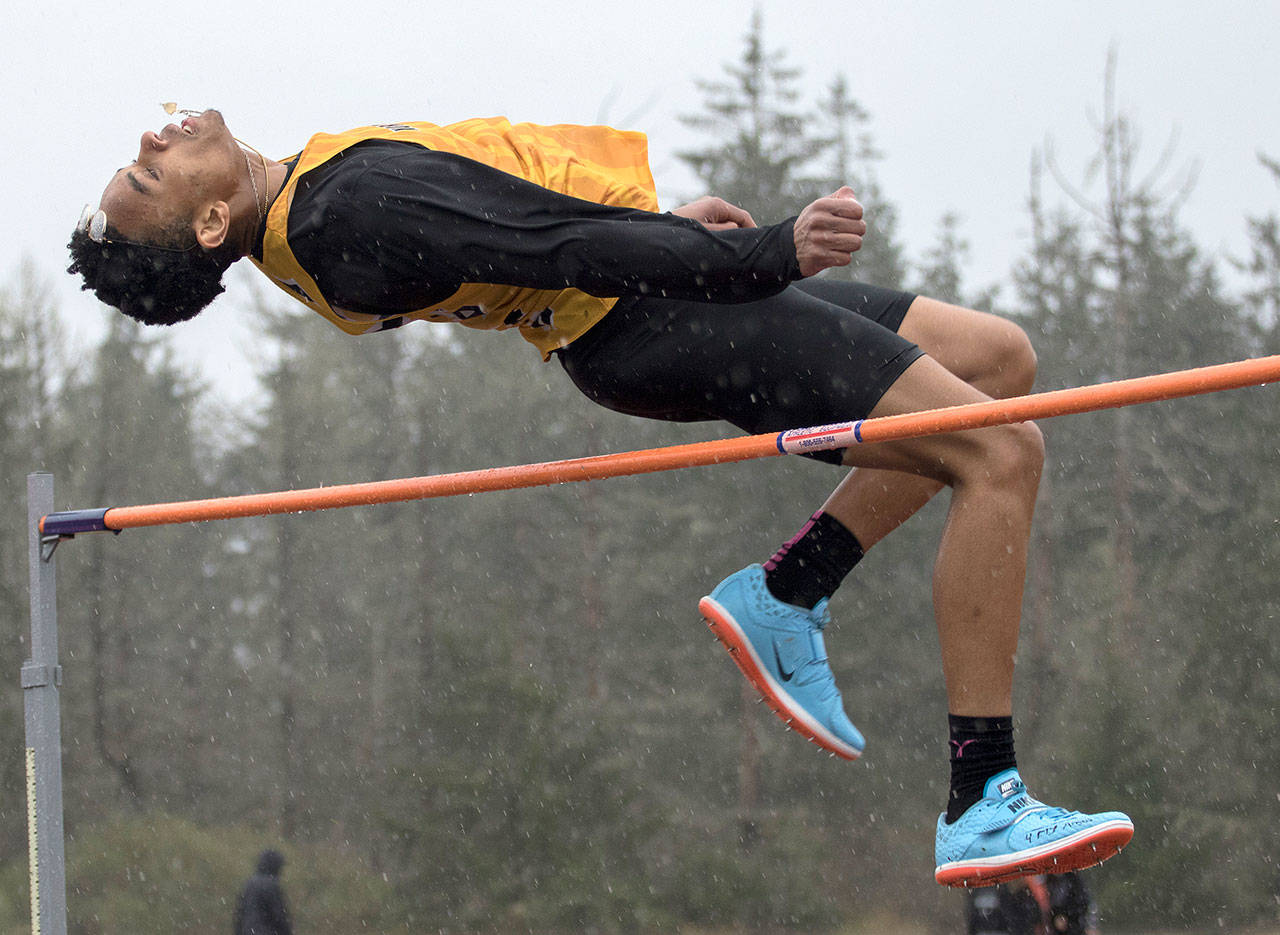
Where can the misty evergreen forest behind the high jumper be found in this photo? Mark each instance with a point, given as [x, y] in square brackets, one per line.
[502, 713]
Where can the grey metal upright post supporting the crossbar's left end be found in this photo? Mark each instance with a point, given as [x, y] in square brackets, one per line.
[42, 682]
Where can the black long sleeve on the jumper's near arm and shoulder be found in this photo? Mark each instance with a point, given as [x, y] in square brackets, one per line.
[391, 227]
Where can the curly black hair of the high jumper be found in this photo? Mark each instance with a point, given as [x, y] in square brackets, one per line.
[157, 285]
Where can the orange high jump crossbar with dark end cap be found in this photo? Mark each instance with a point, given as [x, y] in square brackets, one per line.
[1209, 380]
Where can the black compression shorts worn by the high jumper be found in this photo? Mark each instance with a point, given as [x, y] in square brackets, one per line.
[817, 353]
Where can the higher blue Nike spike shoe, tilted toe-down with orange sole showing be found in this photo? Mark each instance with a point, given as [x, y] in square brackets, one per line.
[780, 650]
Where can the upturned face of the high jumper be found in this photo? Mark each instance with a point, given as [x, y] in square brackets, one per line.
[179, 174]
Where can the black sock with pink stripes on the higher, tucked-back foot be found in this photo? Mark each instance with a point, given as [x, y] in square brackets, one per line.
[813, 564]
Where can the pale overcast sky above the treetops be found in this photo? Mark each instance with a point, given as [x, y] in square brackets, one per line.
[959, 95]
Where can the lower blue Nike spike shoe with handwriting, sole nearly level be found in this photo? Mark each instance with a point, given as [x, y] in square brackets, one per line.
[1008, 834]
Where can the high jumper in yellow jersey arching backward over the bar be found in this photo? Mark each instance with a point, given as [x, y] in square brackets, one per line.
[688, 316]
